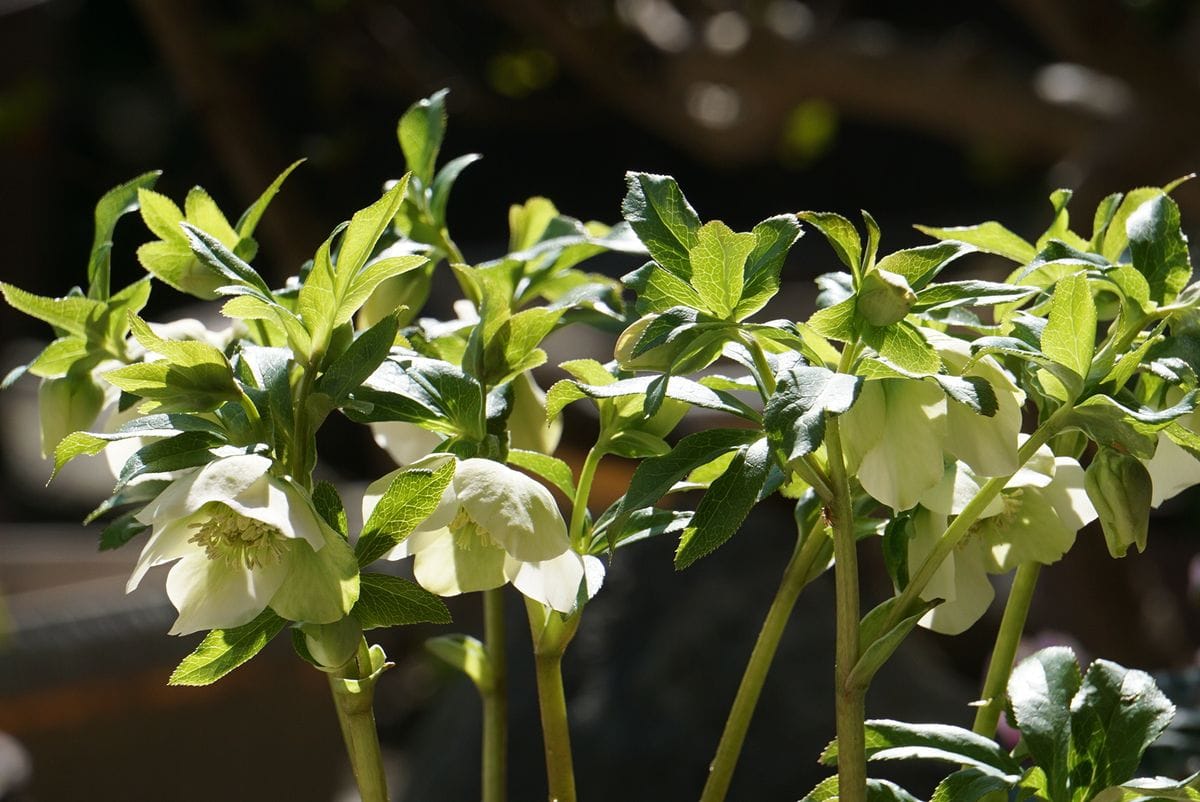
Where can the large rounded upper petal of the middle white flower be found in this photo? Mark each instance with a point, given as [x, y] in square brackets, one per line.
[518, 512]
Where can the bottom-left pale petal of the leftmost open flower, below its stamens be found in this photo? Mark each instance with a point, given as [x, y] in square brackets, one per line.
[212, 595]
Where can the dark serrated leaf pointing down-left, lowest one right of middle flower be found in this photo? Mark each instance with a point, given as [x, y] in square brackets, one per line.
[727, 505]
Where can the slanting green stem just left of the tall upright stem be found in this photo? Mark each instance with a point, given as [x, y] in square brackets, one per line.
[800, 572]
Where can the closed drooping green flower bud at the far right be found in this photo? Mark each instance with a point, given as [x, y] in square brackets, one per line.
[1120, 489]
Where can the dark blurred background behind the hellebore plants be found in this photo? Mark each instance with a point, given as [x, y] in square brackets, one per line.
[941, 113]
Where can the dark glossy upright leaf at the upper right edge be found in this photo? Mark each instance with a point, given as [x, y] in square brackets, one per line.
[1160, 249]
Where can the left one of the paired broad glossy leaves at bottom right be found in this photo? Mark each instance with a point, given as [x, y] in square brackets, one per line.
[1040, 691]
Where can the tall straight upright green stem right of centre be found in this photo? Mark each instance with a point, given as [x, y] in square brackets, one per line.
[849, 697]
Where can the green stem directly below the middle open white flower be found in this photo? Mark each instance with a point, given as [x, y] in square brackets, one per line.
[551, 636]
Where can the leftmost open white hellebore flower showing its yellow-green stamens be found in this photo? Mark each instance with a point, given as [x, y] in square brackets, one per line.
[245, 541]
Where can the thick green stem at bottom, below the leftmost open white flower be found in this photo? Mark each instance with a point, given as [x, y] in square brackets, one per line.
[353, 692]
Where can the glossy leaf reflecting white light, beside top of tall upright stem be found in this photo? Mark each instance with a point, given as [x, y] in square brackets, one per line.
[795, 416]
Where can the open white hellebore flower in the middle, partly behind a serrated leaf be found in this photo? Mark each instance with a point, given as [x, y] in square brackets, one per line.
[493, 526]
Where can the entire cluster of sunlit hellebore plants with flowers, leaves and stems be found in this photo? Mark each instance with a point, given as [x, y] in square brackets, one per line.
[964, 428]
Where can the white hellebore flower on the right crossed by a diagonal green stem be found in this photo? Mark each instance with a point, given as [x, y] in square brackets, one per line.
[1035, 519]
